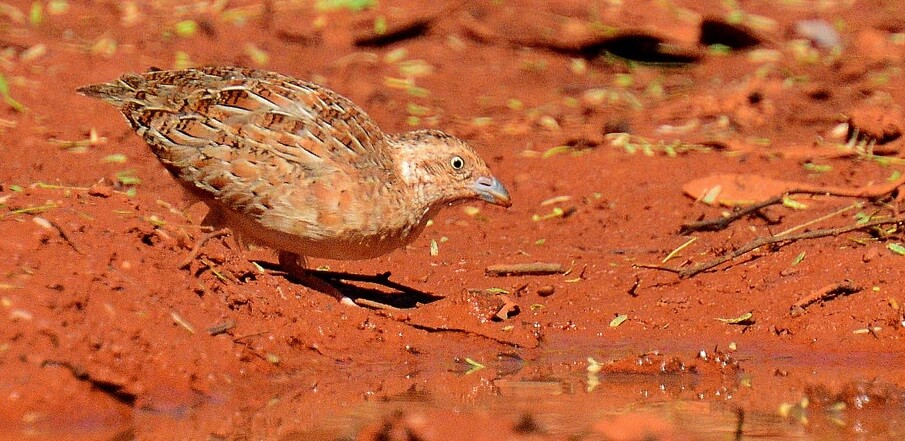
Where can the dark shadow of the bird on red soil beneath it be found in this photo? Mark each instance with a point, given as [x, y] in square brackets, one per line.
[398, 296]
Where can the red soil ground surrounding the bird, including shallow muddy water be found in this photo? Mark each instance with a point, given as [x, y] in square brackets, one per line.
[104, 336]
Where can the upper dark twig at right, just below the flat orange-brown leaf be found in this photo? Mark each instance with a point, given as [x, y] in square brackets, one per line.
[868, 192]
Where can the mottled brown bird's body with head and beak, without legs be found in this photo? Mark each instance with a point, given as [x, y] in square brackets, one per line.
[294, 166]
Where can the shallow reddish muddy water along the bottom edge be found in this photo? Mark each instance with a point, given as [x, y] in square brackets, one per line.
[610, 394]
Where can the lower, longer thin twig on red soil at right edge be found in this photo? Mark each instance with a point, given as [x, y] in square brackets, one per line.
[774, 239]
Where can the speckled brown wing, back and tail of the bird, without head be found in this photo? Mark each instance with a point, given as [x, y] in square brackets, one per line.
[286, 152]
